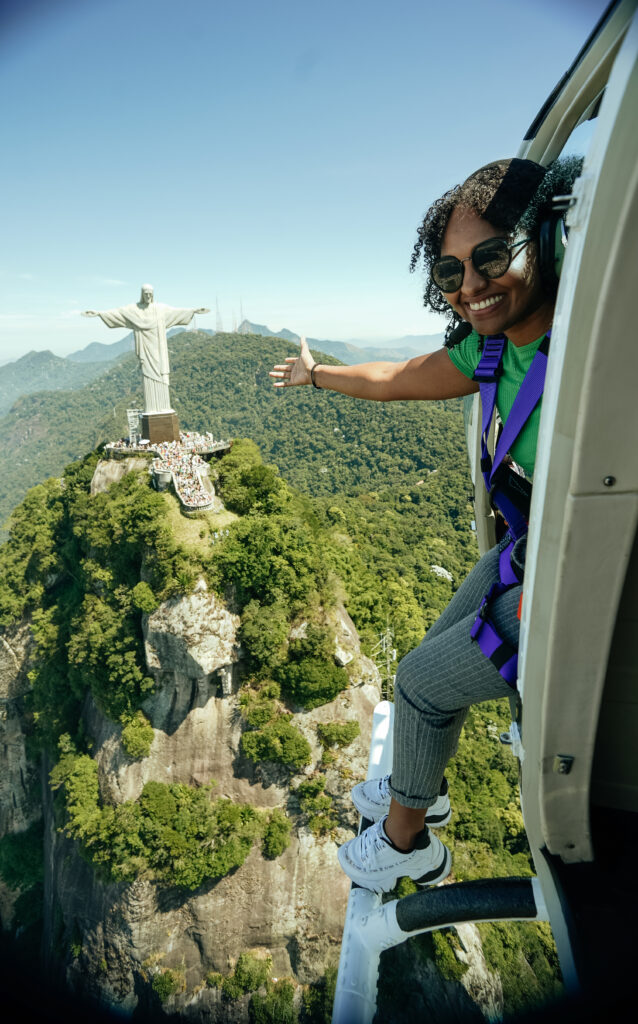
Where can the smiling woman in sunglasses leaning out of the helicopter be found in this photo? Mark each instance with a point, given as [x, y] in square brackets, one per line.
[490, 249]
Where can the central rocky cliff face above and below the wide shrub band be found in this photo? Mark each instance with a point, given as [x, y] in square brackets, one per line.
[292, 908]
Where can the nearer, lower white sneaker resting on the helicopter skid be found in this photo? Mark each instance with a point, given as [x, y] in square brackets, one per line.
[373, 863]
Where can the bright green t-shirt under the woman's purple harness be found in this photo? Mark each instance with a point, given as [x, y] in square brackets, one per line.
[517, 362]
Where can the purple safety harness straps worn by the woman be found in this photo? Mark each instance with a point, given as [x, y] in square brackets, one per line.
[503, 656]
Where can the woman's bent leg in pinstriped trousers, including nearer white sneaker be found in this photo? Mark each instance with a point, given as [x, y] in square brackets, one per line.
[436, 685]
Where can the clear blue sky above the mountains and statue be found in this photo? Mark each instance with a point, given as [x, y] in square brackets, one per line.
[279, 154]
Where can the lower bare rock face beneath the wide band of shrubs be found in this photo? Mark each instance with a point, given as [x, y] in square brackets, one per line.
[292, 907]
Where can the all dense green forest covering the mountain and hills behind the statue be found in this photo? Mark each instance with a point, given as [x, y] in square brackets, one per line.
[393, 503]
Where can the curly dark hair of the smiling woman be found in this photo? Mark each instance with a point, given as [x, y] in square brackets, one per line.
[513, 195]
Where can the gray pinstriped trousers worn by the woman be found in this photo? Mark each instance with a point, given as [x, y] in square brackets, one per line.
[439, 680]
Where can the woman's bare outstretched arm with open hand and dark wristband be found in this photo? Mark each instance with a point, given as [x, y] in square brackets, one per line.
[433, 376]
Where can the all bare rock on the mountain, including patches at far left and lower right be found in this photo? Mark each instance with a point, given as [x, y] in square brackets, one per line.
[112, 941]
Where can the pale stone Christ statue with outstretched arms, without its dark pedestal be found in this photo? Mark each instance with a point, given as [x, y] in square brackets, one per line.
[150, 321]
